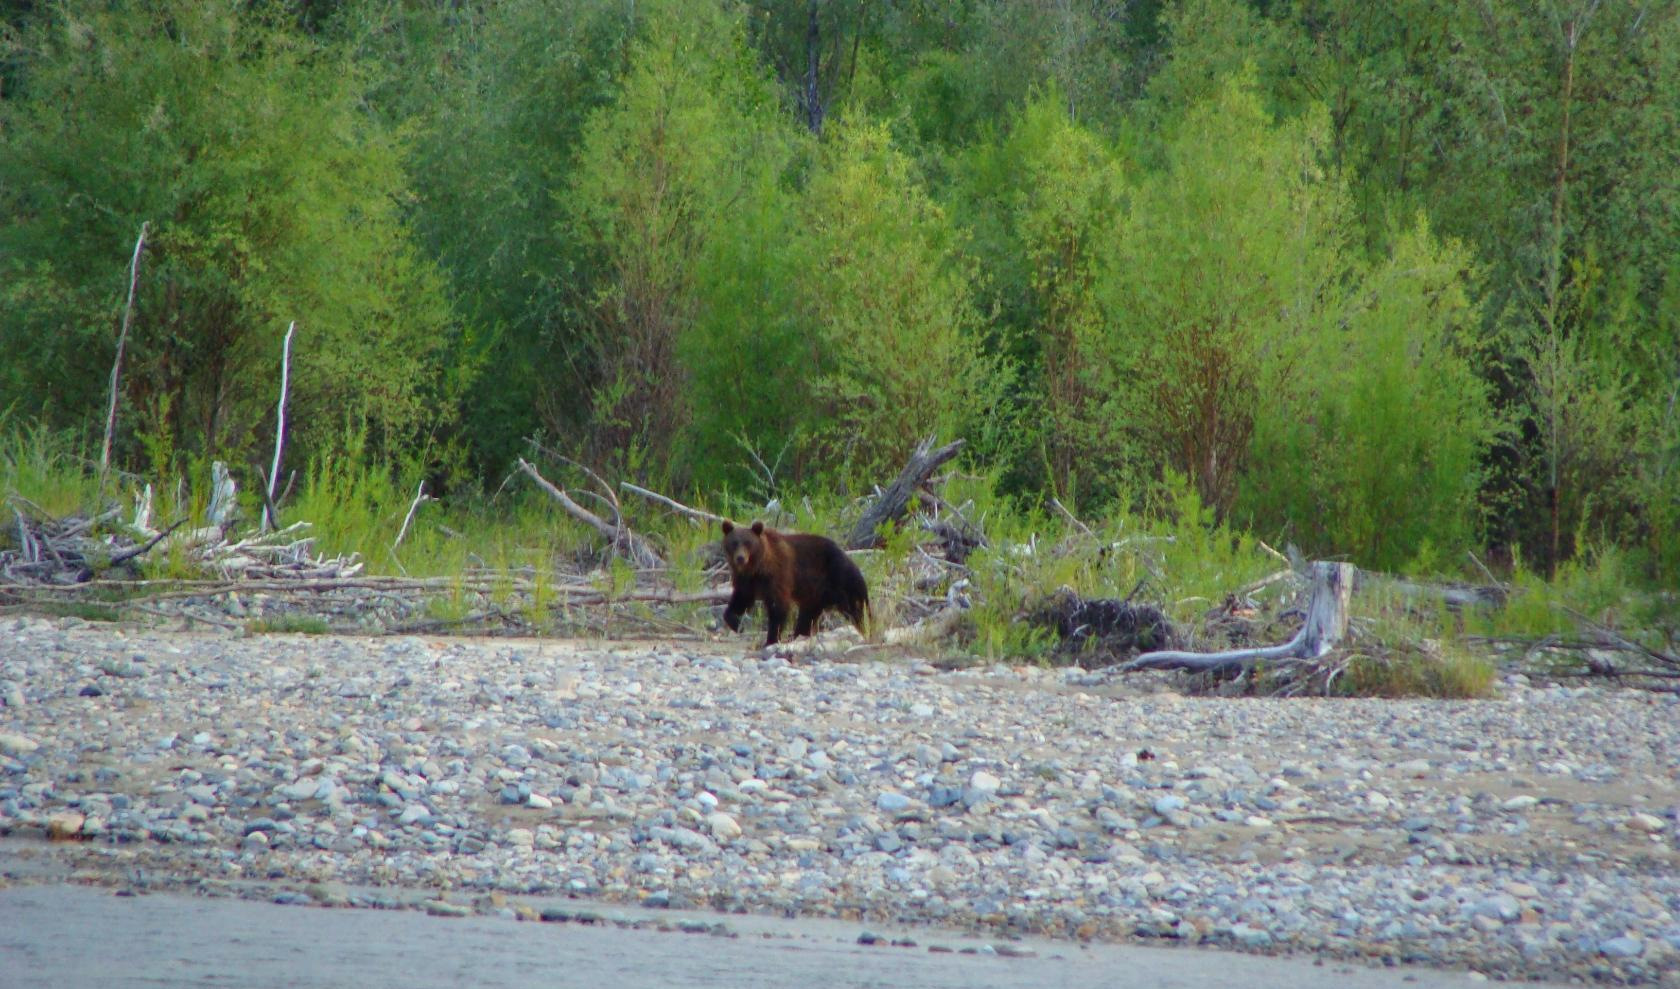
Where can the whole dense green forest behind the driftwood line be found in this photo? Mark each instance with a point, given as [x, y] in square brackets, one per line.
[1389, 281]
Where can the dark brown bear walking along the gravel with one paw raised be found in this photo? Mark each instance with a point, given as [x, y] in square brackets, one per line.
[794, 568]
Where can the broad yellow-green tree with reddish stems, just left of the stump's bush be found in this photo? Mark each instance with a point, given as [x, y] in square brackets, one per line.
[1227, 273]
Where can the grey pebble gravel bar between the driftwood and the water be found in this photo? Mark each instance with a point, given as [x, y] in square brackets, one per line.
[1526, 837]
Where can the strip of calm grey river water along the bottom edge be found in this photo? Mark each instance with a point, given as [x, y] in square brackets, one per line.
[61, 936]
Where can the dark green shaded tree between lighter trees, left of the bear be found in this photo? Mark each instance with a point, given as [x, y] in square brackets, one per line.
[498, 105]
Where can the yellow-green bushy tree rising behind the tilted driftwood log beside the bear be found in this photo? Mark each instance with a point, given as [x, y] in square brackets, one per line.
[890, 308]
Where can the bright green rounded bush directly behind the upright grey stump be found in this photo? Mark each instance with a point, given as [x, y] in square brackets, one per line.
[1387, 447]
